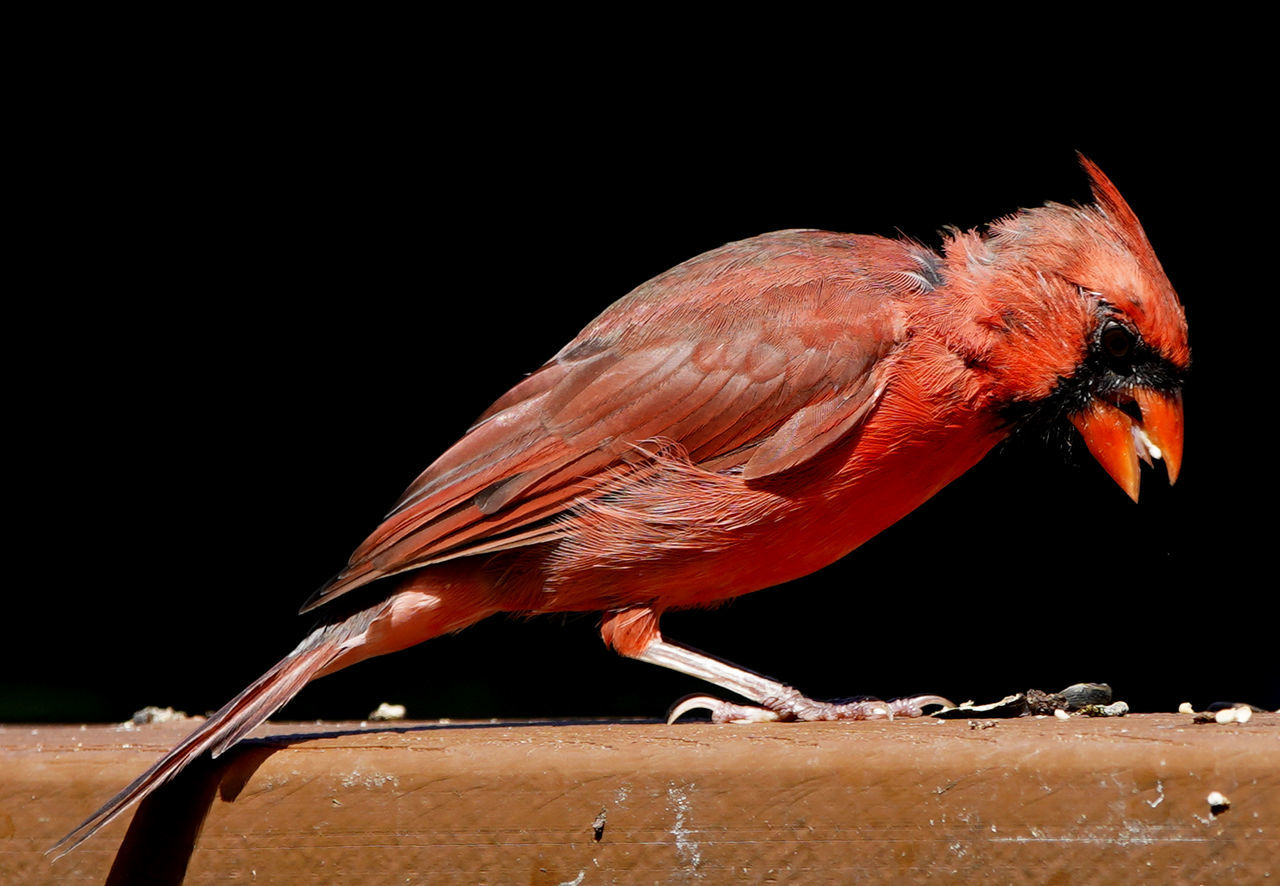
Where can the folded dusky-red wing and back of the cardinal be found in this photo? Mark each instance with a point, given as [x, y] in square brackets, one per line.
[752, 359]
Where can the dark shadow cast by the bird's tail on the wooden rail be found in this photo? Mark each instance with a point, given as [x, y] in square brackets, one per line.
[166, 828]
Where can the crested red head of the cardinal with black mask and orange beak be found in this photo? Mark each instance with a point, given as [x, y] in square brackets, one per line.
[1091, 331]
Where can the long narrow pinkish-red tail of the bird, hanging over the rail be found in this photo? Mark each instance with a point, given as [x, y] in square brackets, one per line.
[263, 698]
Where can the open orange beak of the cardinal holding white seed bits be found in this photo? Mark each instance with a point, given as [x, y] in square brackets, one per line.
[1117, 441]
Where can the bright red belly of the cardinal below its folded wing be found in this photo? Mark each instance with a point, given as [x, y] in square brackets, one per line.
[679, 545]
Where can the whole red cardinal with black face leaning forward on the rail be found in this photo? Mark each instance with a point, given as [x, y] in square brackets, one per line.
[744, 419]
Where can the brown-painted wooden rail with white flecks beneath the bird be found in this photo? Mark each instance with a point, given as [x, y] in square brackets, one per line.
[1034, 801]
